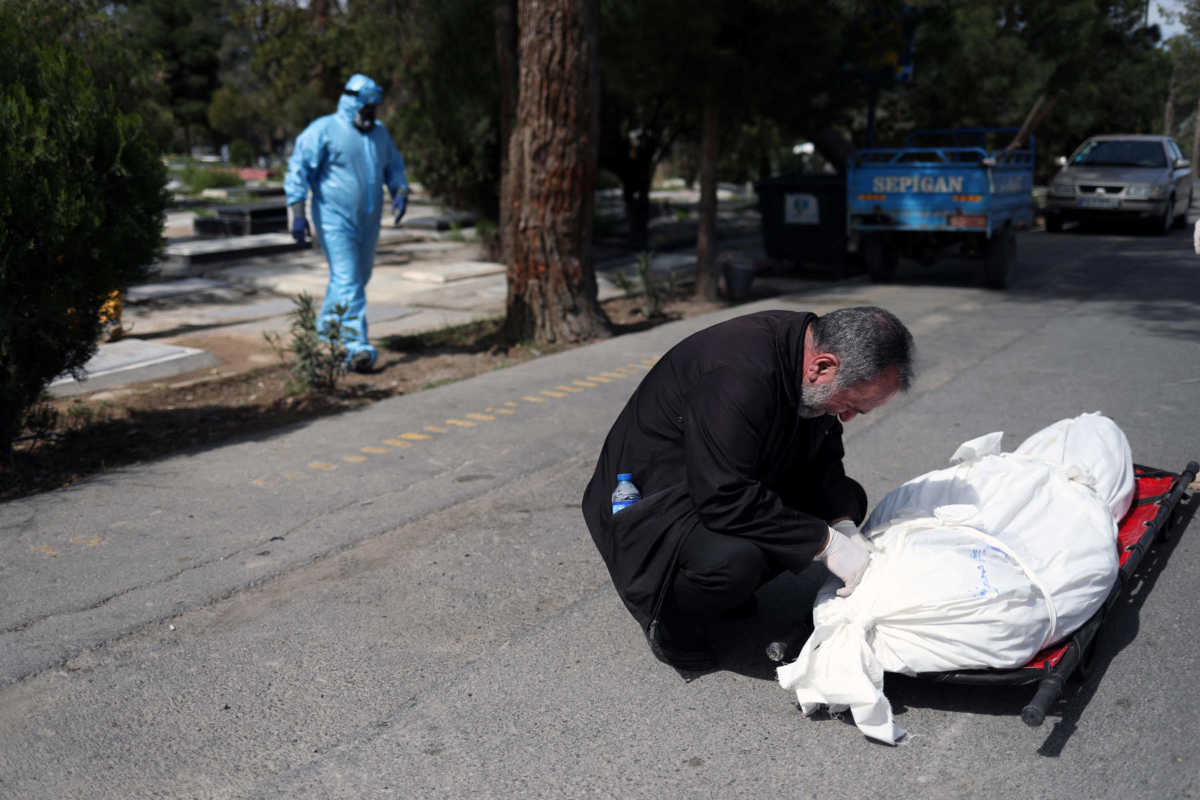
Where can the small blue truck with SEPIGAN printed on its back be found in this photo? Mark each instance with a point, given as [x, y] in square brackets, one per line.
[945, 190]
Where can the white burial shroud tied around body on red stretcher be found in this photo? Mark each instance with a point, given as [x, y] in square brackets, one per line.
[980, 566]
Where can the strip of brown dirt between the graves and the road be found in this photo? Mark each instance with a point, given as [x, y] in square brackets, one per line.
[253, 393]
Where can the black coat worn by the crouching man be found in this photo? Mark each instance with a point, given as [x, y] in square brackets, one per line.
[715, 437]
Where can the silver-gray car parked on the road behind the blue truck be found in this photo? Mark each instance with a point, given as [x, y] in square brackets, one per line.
[1129, 176]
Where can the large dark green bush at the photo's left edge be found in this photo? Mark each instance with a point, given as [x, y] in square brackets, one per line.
[81, 214]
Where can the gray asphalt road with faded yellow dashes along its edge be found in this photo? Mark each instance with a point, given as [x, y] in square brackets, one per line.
[404, 601]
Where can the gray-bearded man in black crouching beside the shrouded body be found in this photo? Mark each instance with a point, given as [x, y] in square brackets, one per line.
[735, 442]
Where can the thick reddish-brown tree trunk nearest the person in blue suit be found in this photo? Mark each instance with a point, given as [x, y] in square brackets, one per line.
[551, 178]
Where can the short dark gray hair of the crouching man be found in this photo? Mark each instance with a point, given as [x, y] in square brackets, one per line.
[868, 342]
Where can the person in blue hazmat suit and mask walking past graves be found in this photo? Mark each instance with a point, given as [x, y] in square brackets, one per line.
[346, 159]
